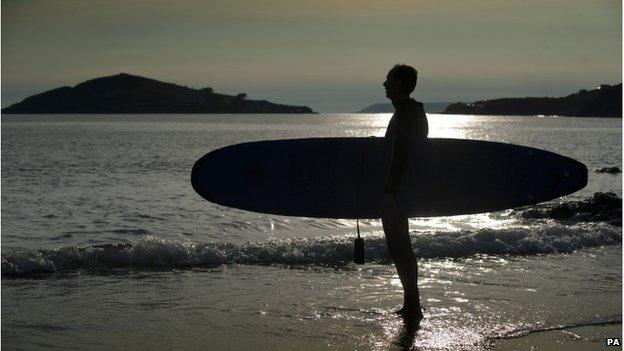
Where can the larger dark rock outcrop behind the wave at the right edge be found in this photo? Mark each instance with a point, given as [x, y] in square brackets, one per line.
[601, 207]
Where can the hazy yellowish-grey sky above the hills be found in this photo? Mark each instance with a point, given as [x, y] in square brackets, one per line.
[330, 55]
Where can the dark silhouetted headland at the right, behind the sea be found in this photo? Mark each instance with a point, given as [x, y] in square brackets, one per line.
[605, 101]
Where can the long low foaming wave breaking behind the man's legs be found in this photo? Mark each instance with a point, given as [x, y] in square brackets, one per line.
[156, 253]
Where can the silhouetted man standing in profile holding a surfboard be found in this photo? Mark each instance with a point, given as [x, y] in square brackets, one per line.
[407, 125]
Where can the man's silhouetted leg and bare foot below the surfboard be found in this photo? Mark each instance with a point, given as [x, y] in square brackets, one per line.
[400, 248]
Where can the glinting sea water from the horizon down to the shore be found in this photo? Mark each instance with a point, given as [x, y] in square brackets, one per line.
[105, 245]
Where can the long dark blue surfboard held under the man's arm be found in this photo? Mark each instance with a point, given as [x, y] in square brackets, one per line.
[345, 177]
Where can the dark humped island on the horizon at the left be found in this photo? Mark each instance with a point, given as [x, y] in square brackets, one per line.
[125, 93]
